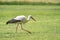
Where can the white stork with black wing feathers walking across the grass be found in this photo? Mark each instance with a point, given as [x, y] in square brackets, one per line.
[20, 20]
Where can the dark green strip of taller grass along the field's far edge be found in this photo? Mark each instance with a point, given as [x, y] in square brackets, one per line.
[28, 3]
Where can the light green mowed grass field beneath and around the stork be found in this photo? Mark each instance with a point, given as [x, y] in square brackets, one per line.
[46, 27]
